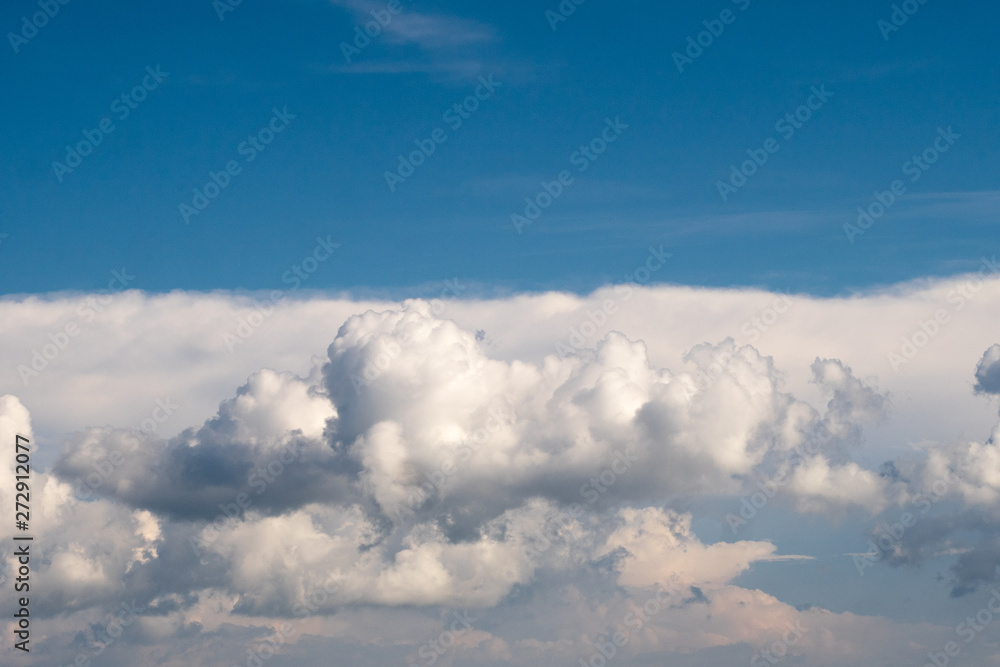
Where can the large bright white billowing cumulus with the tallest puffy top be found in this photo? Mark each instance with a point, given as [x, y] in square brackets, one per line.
[425, 412]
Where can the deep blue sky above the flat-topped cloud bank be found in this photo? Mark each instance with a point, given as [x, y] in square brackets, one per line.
[657, 184]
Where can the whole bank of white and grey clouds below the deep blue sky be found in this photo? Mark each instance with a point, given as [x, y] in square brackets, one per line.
[489, 442]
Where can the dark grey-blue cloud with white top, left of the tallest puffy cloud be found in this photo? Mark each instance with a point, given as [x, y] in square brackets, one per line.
[275, 419]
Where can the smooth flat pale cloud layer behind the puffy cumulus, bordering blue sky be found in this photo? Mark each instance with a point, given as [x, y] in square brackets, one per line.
[148, 347]
